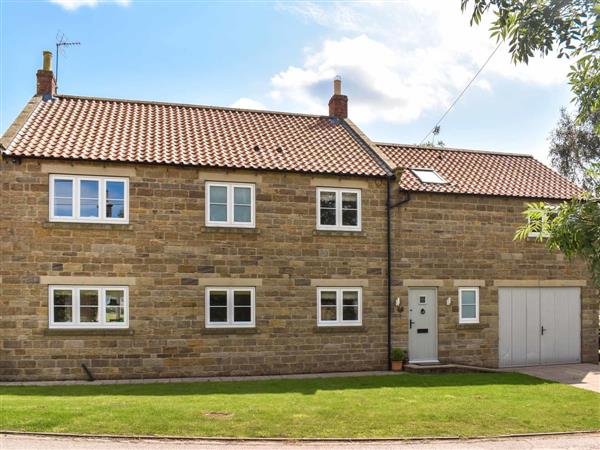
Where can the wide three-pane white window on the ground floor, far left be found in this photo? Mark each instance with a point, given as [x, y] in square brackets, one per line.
[88, 307]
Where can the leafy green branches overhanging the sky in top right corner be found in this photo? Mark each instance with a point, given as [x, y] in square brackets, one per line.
[569, 27]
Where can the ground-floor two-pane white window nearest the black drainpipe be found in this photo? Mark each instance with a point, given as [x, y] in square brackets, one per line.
[339, 306]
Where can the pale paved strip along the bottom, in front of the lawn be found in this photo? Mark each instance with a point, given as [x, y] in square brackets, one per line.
[18, 442]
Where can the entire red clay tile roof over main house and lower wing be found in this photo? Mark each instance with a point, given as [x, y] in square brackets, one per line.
[140, 131]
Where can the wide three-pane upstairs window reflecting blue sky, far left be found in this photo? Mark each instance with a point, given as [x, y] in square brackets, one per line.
[89, 199]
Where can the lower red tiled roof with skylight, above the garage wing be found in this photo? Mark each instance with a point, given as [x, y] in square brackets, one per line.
[477, 172]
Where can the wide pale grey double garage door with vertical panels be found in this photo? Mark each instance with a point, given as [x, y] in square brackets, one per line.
[539, 326]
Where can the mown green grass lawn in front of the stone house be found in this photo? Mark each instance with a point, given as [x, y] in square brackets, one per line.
[377, 406]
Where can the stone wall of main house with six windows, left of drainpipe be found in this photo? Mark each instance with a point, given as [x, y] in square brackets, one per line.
[170, 256]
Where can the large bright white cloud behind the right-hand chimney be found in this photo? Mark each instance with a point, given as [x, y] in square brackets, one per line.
[399, 60]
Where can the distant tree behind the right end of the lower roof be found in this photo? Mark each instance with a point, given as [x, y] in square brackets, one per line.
[575, 147]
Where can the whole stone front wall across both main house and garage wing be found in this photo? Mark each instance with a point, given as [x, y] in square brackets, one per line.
[167, 256]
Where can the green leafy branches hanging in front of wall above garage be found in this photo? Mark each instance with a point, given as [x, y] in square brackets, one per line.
[573, 227]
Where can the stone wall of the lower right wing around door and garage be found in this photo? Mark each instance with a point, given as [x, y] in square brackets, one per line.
[446, 238]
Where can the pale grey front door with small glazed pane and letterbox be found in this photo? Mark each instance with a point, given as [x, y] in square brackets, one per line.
[422, 325]
